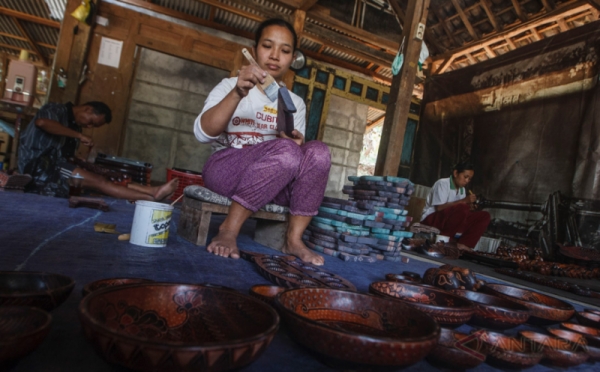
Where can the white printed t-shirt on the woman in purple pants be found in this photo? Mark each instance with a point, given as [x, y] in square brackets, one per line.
[254, 120]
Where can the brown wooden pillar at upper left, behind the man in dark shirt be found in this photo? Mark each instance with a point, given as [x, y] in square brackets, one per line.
[73, 45]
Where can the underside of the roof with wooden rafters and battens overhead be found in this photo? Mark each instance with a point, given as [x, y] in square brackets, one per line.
[361, 35]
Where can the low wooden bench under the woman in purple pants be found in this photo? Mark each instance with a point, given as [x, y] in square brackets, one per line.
[196, 213]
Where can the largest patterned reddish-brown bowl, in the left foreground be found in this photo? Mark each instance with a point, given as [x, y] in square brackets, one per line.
[177, 327]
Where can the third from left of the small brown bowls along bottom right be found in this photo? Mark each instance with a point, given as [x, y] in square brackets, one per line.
[558, 352]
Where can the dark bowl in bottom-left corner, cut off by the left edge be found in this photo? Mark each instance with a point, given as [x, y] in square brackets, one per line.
[22, 330]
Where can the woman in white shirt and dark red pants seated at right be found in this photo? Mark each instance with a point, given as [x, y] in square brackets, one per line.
[449, 208]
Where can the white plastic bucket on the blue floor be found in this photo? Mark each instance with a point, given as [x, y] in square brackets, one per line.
[151, 222]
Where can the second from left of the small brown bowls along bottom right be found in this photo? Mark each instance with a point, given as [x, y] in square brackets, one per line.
[508, 352]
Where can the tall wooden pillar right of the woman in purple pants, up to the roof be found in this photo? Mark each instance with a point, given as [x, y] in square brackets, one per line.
[394, 126]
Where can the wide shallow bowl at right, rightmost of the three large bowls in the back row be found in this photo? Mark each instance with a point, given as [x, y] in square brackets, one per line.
[543, 309]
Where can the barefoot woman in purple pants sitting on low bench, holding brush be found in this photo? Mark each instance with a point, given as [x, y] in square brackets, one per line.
[253, 164]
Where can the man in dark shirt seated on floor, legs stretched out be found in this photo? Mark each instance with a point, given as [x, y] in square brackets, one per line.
[52, 137]
